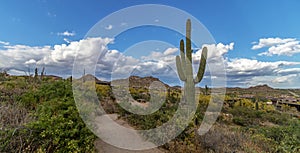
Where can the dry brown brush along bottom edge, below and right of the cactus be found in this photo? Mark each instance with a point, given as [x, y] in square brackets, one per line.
[219, 139]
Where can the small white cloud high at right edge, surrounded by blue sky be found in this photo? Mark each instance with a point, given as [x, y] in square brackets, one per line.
[278, 46]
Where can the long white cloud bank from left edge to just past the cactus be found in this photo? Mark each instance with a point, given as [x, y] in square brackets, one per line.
[59, 59]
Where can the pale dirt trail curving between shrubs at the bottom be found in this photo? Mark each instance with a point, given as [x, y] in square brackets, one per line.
[114, 132]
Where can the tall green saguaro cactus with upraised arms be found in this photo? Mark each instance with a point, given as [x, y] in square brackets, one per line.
[185, 67]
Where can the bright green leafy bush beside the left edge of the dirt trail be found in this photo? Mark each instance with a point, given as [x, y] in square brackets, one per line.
[59, 128]
